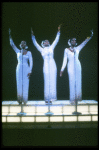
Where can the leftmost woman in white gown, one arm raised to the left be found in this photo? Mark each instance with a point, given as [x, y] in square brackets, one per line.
[23, 70]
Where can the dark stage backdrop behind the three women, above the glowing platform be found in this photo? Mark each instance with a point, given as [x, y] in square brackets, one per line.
[77, 19]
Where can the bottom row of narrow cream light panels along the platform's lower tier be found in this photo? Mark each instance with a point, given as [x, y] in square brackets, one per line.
[52, 119]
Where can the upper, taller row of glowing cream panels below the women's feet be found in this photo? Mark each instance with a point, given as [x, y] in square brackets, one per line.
[55, 109]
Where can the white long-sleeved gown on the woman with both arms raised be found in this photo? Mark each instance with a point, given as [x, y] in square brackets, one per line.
[49, 68]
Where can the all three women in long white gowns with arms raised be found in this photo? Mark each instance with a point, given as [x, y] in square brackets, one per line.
[24, 70]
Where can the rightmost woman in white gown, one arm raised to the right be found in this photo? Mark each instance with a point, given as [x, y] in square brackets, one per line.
[74, 68]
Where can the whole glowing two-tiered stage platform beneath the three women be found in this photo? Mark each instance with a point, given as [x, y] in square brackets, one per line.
[62, 112]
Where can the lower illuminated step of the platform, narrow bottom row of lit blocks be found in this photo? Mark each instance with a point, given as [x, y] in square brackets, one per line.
[54, 118]
